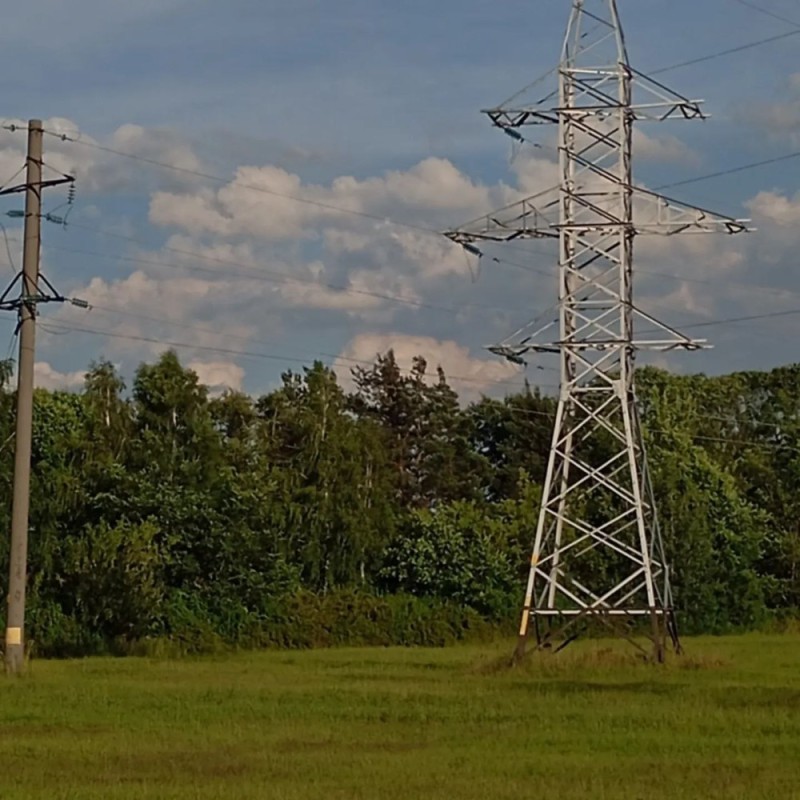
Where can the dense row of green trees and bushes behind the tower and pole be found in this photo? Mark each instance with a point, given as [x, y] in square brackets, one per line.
[162, 516]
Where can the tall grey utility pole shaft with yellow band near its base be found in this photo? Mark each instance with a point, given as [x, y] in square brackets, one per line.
[18, 554]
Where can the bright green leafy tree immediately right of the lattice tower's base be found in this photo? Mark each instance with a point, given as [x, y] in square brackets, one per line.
[713, 534]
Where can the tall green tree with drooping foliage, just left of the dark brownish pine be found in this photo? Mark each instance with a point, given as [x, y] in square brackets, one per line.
[336, 511]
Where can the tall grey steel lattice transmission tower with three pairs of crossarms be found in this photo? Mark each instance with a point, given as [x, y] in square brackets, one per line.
[598, 554]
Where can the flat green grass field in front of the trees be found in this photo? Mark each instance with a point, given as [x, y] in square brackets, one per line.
[375, 724]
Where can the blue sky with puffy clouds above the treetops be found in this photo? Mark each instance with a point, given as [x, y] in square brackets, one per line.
[371, 111]
